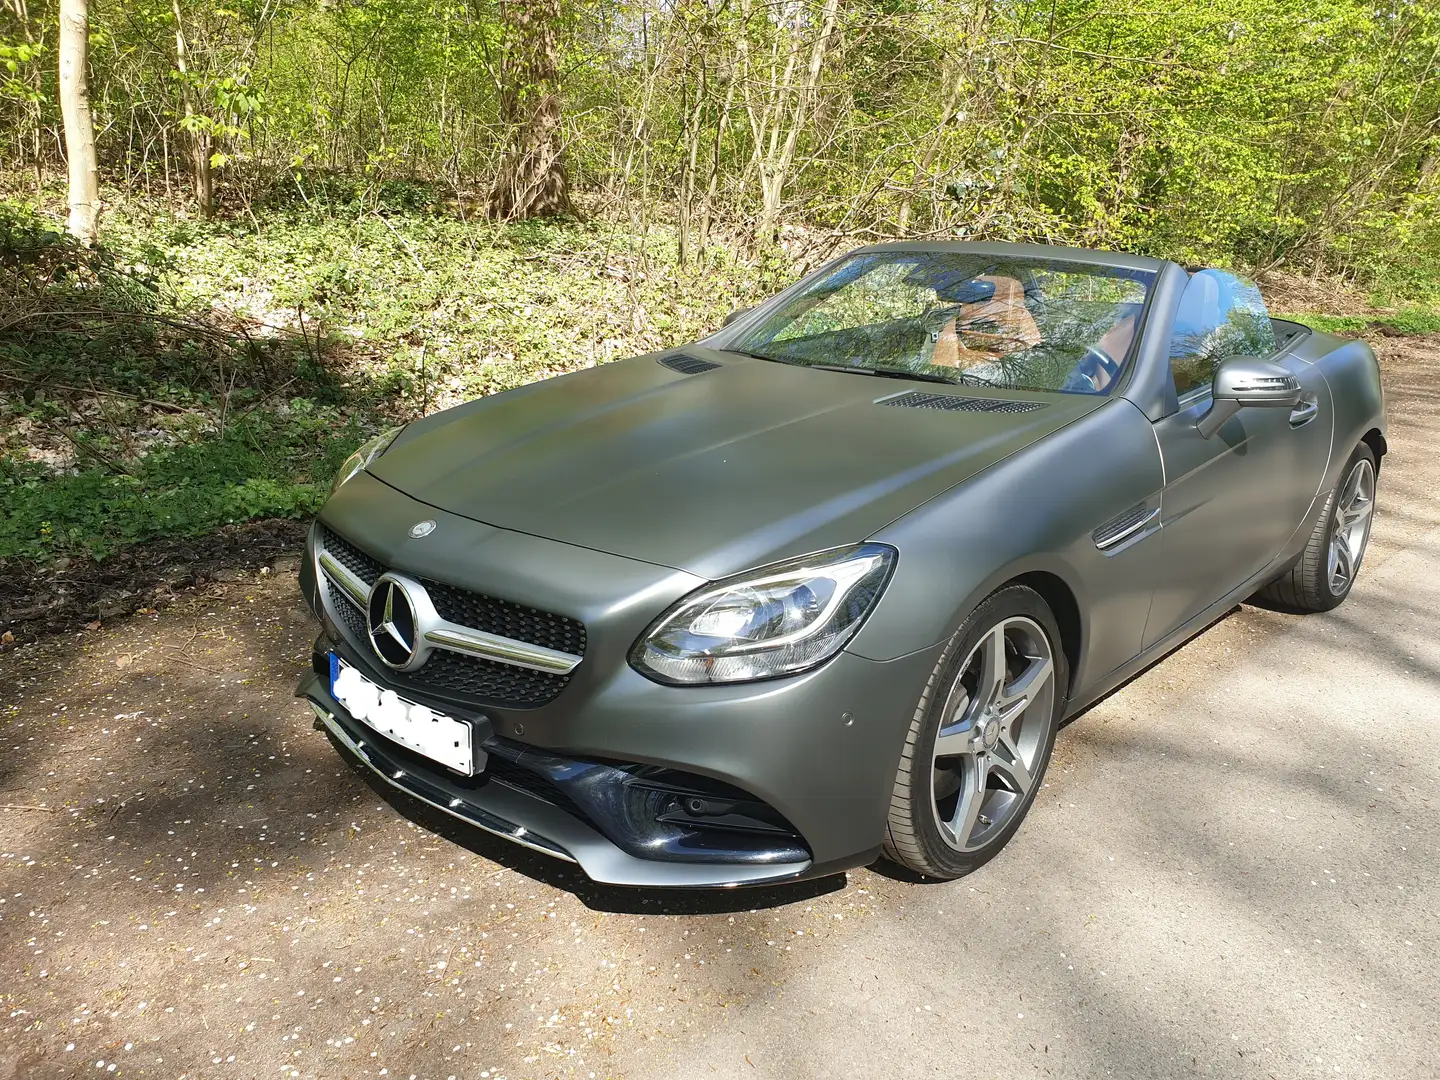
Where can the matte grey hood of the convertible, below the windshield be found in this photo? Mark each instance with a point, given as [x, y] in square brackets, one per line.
[711, 473]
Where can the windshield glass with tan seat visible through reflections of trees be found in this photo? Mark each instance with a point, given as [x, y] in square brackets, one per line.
[1030, 325]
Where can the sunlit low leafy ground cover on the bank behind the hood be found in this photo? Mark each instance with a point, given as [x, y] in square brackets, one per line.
[382, 274]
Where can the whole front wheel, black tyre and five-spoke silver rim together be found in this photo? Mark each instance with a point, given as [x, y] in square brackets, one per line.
[981, 738]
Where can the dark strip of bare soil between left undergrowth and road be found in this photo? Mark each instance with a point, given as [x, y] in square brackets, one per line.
[76, 593]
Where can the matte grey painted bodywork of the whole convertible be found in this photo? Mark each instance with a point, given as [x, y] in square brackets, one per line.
[610, 495]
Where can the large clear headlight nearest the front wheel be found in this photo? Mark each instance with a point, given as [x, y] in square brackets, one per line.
[767, 623]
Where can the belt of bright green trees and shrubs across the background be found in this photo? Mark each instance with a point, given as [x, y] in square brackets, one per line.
[1258, 133]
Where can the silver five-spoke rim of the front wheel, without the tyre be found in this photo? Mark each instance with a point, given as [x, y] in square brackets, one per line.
[987, 748]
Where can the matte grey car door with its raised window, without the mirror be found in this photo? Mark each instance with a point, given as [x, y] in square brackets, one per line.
[1230, 503]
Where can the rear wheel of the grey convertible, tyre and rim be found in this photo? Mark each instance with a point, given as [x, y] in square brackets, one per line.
[1327, 570]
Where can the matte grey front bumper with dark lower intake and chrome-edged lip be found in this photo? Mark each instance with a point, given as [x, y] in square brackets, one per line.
[834, 793]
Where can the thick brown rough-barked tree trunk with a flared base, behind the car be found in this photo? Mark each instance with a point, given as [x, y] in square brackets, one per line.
[532, 181]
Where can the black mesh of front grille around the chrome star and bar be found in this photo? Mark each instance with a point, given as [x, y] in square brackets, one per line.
[453, 675]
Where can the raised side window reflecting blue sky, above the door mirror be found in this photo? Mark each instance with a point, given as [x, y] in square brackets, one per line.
[1220, 315]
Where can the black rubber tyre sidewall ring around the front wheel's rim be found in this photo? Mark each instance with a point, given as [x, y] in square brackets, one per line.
[1007, 603]
